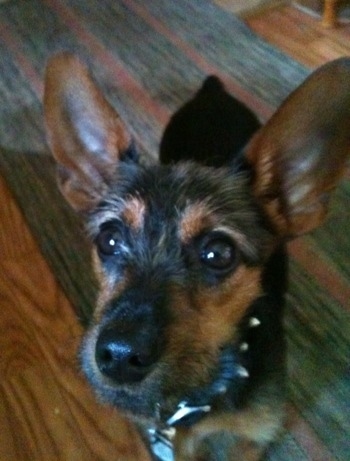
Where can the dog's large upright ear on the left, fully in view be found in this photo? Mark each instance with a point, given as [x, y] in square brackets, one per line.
[85, 134]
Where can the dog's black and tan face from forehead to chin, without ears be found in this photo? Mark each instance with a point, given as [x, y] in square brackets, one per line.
[167, 271]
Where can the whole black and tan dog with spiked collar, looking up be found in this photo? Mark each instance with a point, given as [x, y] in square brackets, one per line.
[190, 252]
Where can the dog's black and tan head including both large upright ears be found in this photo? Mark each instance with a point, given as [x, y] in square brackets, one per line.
[179, 249]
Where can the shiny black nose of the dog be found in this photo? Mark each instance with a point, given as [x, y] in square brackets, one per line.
[126, 356]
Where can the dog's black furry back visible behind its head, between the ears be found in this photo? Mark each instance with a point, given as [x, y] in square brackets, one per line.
[211, 129]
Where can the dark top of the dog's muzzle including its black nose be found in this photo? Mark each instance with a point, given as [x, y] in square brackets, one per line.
[129, 343]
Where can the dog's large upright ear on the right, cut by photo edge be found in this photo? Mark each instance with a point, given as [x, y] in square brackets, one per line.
[300, 154]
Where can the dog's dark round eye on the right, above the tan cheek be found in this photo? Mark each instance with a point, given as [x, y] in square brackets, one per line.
[219, 254]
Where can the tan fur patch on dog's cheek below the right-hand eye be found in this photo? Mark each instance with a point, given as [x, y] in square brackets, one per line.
[204, 320]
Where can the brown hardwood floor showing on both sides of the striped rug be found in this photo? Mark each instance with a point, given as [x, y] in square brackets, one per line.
[47, 412]
